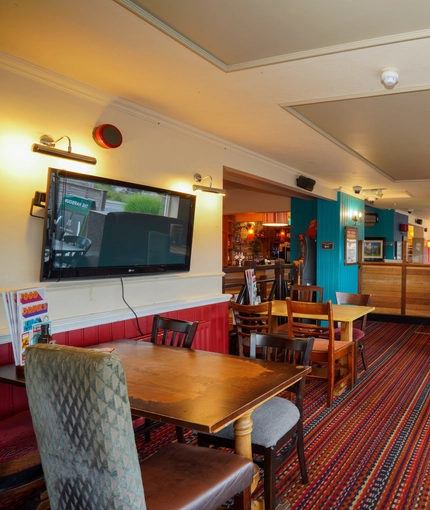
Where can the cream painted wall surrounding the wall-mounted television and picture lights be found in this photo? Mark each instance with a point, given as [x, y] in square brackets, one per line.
[156, 150]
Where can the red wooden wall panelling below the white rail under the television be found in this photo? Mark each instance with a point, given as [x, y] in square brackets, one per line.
[212, 335]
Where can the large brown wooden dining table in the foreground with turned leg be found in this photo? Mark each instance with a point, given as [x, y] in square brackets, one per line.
[196, 389]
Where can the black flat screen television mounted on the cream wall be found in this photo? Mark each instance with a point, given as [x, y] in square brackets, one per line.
[99, 228]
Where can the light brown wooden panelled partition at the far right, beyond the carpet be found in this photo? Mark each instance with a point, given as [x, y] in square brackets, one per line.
[397, 288]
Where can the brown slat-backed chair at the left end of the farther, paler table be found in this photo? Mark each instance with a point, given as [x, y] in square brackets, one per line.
[249, 319]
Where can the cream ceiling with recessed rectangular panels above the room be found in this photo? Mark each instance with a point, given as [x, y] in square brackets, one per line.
[297, 82]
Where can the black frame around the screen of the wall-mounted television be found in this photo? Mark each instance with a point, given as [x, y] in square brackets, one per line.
[50, 273]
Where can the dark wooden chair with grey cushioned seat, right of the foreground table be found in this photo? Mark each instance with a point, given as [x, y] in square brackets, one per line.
[277, 424]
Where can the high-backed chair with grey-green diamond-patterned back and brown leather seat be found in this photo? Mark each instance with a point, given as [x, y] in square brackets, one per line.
[80, 407]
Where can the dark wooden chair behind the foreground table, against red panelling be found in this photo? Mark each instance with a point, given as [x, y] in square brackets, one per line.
[175, 333]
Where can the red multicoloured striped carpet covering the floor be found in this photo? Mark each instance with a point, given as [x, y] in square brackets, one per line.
[371, 449]
